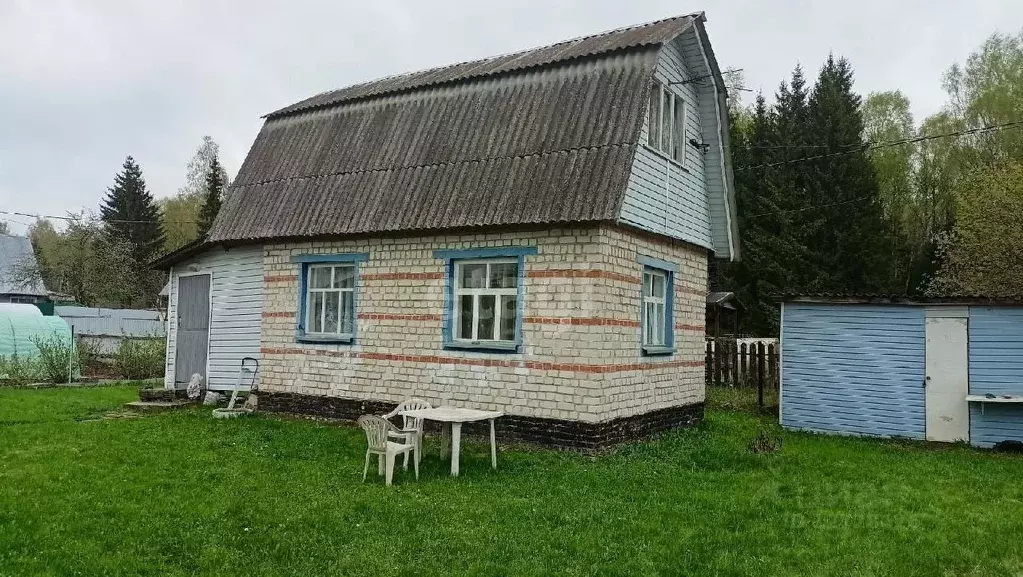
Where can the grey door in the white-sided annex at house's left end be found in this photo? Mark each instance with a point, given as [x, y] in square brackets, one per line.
[193, 341]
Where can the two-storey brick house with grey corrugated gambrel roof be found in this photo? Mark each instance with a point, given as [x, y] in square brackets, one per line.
[528, 233]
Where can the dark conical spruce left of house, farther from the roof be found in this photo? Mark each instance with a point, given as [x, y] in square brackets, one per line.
[130, 214]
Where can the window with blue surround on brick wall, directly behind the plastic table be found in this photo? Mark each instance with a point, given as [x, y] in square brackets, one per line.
[483, 298]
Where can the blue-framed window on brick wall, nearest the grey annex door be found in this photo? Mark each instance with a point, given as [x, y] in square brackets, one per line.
[328, 296]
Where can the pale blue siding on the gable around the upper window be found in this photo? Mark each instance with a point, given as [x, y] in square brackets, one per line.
[662, 197]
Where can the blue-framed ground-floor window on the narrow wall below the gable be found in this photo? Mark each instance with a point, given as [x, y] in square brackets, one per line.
[657, 335]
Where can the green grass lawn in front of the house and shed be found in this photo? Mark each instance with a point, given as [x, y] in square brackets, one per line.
[183, 495]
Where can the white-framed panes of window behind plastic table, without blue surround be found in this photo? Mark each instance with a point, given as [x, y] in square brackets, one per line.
[486, 301]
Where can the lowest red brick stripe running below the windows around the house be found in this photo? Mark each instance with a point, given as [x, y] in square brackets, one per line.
[537, 366]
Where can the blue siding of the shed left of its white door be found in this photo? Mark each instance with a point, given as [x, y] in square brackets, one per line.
[854, 370]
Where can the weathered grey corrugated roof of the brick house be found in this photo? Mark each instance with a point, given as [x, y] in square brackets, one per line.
[462, 147]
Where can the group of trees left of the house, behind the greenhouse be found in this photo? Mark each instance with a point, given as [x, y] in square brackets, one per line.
[103, 259]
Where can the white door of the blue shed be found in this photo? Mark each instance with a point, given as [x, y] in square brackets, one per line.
[948, 375]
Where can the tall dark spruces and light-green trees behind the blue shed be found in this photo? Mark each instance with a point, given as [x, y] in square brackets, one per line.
[838, 194]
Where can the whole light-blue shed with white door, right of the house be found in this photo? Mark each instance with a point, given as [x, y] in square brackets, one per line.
[944, 370]
